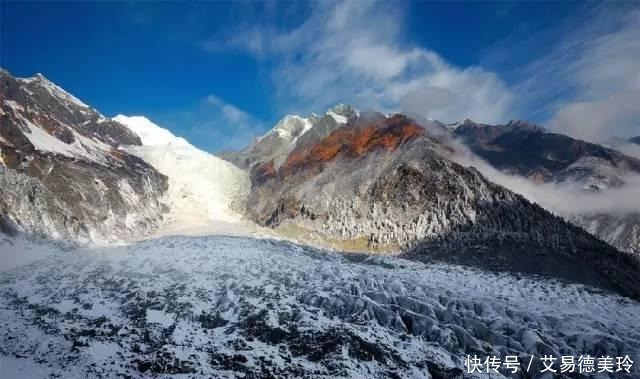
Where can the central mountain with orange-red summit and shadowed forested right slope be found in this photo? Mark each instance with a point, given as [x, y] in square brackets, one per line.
[383, 183]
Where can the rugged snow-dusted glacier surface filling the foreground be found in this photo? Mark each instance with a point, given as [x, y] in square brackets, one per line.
[240, 307]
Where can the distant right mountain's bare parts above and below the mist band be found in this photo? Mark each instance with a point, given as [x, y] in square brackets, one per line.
[528, 150]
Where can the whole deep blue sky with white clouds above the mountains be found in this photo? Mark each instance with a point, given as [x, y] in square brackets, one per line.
[221, 73]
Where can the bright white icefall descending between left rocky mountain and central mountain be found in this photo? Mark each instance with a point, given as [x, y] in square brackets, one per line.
[202, 188]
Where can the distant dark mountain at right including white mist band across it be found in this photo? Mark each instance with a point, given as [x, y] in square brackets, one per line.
[593, 186]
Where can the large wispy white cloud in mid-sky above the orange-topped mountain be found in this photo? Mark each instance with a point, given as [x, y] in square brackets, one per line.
[353, 52]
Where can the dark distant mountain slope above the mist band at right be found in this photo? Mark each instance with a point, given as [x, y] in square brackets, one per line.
[530, 151]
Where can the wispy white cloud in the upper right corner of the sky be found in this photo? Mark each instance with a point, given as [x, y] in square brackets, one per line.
[590, 80]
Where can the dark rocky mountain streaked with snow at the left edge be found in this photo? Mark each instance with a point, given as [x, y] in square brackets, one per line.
[63, 174]
